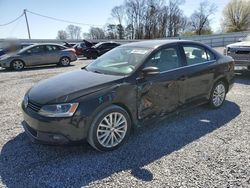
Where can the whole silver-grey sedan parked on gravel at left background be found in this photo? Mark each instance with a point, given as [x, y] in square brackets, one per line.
[38, 54]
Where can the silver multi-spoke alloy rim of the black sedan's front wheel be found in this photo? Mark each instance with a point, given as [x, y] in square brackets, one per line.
[112, 129]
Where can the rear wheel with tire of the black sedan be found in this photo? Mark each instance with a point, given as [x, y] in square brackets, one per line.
[218, 95]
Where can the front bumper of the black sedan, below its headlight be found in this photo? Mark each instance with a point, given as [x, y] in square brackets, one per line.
[53, 130]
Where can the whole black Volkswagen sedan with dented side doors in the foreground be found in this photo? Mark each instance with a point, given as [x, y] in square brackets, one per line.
[131, 85]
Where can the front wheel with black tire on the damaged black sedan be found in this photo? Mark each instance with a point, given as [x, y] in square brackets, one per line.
[105, 137]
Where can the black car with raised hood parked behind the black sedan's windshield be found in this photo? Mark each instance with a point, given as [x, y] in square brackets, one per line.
[99, 49]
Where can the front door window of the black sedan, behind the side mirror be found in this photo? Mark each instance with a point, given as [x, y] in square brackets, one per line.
[165, 60]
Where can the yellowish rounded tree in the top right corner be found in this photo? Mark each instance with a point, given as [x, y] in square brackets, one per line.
[236, 15]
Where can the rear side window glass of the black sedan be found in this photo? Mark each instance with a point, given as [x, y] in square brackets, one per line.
[197, 54]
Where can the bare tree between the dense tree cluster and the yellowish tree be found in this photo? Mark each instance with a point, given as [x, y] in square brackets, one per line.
[199, 20]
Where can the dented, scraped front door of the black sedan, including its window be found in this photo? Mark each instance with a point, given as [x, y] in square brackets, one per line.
[159, 94]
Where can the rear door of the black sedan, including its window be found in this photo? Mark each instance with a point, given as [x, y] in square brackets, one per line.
[198, 74]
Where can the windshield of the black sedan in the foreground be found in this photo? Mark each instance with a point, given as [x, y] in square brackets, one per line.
[119, 61]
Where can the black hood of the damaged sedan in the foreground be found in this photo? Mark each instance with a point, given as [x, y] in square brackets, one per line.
[68, 86]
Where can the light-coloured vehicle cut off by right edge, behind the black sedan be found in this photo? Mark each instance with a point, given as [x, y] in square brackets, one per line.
[240, 52]
